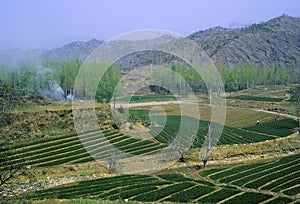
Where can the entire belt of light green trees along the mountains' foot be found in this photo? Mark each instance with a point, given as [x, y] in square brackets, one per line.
[32, 79]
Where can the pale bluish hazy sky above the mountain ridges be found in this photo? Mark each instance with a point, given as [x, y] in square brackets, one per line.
[53, 23]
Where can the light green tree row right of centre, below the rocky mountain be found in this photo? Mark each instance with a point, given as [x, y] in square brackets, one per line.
[234, 78]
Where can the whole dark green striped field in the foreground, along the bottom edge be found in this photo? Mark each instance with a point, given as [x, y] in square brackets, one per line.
[268, 182]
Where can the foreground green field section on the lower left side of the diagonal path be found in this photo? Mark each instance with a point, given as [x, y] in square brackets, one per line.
[175, 188]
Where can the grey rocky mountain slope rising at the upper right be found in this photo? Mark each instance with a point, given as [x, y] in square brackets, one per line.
[272, 41]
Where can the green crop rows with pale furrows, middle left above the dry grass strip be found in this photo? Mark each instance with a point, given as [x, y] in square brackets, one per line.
[54, 153]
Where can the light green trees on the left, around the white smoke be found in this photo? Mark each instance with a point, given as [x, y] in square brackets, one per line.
[31, 79]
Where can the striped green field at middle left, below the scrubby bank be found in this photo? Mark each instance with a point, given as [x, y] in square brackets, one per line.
[69, 148]
